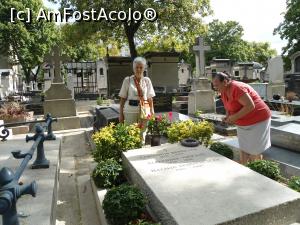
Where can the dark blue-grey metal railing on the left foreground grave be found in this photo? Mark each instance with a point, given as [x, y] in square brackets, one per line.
[10, 189]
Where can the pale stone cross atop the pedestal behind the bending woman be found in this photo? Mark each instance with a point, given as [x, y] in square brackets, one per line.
[199, 50]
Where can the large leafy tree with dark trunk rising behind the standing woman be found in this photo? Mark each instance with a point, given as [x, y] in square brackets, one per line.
[178, 15]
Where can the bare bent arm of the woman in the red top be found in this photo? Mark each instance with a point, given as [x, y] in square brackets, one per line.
[248, 105]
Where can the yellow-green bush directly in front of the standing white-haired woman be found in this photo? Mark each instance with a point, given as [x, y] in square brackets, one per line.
[111, 140]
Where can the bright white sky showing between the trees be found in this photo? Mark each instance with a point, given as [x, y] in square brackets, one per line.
[258, 18]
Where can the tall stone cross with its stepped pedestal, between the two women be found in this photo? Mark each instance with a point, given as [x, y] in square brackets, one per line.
[202, 96]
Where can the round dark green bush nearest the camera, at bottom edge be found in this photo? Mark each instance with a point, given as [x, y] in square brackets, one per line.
[123, 204]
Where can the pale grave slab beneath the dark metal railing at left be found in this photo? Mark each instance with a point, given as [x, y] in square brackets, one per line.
[41, 209]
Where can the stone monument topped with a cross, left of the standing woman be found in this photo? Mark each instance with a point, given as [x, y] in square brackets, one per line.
[58, 99]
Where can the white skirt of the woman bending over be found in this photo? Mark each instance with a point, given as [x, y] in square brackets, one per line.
[255, 139]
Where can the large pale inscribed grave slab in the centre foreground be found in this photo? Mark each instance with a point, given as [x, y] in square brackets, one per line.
[192, 186]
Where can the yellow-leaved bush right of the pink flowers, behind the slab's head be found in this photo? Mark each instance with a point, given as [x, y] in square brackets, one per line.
[201, 131]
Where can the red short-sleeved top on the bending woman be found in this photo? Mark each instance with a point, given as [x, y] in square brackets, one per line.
[232, 105]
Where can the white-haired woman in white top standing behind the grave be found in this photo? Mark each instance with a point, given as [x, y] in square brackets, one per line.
[129, 98]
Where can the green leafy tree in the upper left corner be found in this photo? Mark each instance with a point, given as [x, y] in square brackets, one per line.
[28, 42]
